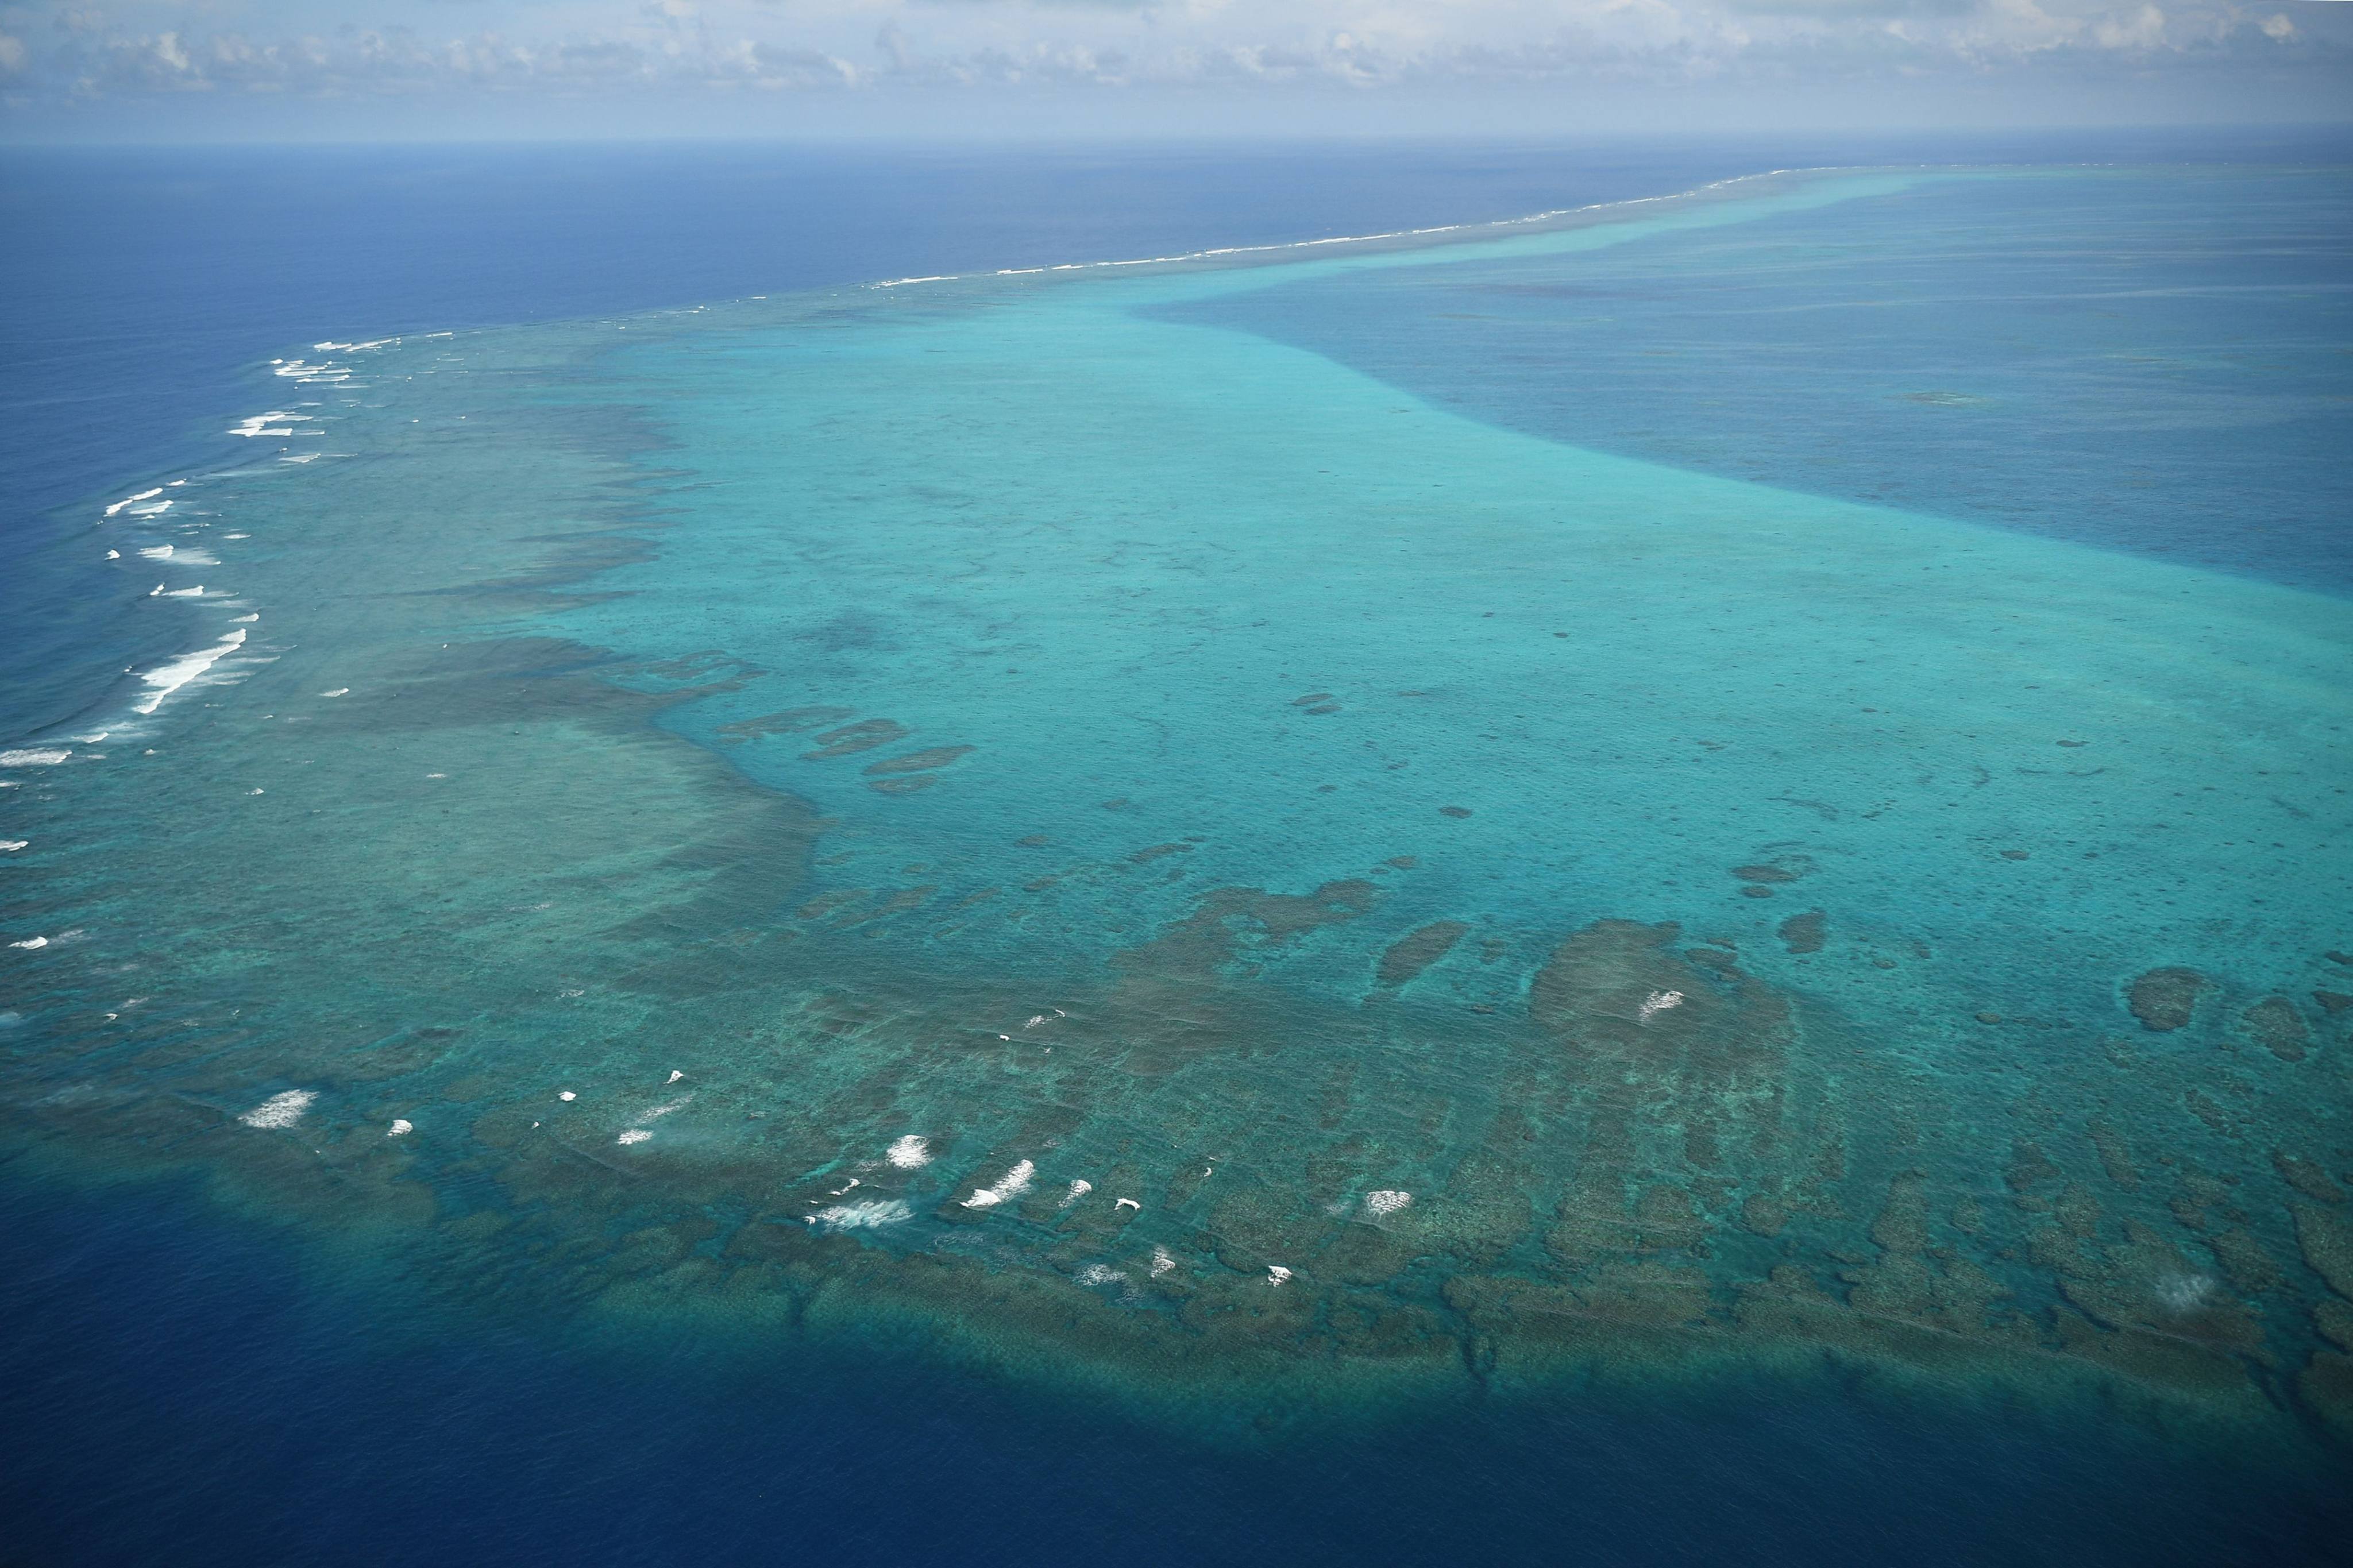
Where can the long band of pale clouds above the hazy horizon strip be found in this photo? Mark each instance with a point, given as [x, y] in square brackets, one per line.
[587, 48]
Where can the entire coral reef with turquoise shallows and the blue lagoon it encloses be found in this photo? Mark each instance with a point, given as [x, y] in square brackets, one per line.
[1161, 829]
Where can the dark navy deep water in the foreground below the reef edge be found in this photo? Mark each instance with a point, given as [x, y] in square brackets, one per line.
[187, 1395]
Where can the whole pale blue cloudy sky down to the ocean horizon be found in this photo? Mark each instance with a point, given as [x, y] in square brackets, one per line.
[1121, 69]
